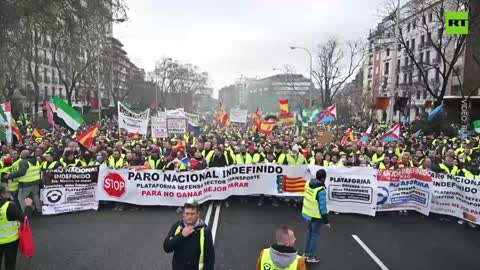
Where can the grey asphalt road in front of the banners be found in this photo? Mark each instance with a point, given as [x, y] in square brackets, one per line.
[134, 239]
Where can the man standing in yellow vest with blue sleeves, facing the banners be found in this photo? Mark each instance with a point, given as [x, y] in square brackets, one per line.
[315, 211]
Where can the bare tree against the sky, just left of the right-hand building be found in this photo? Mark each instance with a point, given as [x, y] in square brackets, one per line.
[335, 67]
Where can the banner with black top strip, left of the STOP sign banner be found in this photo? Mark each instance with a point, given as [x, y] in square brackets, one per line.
[69, 189]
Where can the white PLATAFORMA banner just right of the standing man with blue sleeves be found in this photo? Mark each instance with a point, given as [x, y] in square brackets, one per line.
[351, 190]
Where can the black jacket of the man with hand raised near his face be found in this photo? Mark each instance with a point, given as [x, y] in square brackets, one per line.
[187, 249]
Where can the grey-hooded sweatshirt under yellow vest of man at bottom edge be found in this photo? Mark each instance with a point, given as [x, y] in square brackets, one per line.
[282, 256]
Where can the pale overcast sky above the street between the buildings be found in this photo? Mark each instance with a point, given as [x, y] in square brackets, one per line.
[230, 38]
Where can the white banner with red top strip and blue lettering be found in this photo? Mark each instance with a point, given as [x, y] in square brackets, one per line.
[407, 188]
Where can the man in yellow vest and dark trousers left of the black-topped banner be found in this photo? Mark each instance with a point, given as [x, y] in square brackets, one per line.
[28, 176]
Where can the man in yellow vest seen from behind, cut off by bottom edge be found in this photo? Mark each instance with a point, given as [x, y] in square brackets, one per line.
[283, 254]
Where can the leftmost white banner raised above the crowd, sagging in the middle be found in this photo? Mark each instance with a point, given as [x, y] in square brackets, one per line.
[131, 121]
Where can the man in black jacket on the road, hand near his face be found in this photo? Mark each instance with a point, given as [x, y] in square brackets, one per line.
[191, 241]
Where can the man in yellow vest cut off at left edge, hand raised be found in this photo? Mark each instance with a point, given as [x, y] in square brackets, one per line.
[10, 219]
